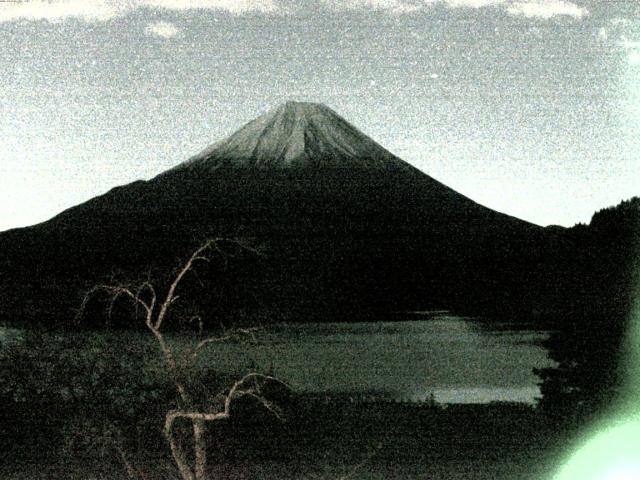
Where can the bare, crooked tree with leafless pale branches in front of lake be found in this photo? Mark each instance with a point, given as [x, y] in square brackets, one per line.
[155, 311]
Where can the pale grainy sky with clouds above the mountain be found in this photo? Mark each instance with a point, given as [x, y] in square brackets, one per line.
[530, 107]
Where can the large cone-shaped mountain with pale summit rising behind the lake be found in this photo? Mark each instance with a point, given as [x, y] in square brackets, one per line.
[347, 229]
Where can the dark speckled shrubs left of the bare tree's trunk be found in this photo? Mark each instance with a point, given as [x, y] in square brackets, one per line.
[67, 396]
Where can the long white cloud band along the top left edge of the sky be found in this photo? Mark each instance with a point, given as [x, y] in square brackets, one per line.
[102, 10]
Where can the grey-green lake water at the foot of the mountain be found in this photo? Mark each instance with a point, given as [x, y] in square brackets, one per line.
[452, 359]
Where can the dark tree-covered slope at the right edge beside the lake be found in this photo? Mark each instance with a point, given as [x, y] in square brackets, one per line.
[601, 271]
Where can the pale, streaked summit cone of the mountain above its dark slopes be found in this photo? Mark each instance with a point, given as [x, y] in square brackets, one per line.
[296, 134]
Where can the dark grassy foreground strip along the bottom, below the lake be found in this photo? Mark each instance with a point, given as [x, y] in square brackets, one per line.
[337, 439]
